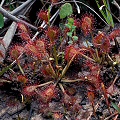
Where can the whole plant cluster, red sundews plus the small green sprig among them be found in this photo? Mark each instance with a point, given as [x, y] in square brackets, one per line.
[51, 67]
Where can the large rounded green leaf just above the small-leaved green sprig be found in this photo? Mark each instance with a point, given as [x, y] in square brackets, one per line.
[65, 10]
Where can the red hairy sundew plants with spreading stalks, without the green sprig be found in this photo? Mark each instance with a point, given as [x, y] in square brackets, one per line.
[40, 64]
